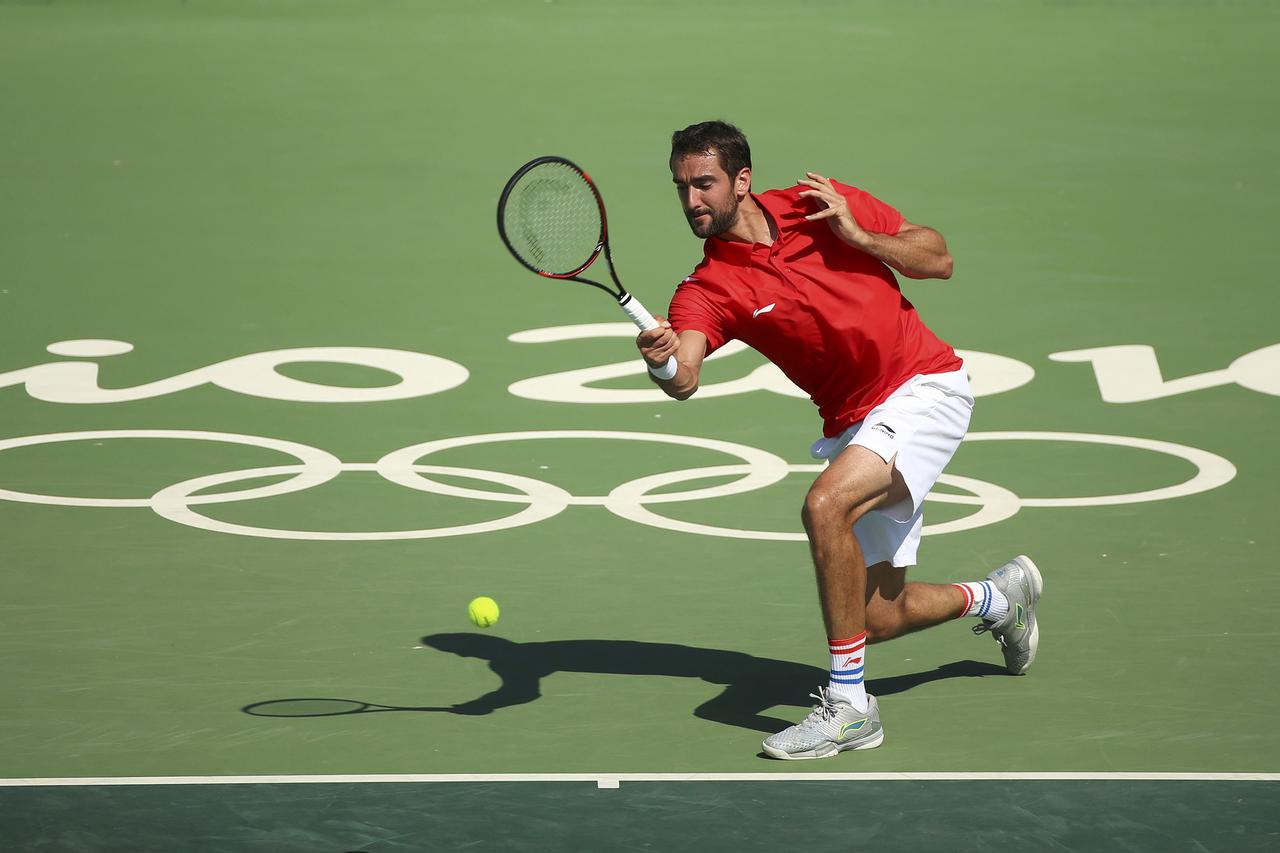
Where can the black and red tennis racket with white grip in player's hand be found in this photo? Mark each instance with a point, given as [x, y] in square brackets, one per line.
[551, 217]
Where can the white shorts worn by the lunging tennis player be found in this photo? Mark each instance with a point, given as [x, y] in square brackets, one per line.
[918, 430]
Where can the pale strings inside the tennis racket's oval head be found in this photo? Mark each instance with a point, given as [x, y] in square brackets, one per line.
[554, 220]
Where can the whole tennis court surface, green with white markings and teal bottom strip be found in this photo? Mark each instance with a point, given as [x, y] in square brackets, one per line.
[276, 405]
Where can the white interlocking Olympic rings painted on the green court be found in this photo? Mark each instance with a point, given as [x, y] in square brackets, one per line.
[538, 500]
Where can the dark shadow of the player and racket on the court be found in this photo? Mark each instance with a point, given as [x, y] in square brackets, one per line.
[752, 685]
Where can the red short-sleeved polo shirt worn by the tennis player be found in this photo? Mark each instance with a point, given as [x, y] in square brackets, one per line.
[830, 317]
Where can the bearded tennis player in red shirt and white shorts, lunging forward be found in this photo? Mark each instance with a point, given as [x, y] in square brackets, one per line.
[804, 276]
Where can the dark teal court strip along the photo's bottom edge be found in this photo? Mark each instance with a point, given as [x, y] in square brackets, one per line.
[1133, 813]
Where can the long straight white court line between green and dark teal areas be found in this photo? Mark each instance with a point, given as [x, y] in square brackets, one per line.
[615, 781]
